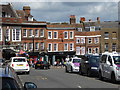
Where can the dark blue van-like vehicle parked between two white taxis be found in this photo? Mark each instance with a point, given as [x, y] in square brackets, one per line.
[89, 65]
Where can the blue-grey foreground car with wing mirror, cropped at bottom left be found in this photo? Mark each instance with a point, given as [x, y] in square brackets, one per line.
[10, 80]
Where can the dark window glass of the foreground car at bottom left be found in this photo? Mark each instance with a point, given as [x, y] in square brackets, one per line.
[8, 84]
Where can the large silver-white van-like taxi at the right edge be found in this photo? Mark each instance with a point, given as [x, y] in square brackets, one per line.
[110, 66]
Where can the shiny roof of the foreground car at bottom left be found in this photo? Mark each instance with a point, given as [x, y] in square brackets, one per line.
[7, 71]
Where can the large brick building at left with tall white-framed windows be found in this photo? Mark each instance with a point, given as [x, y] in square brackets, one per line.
[20, 29]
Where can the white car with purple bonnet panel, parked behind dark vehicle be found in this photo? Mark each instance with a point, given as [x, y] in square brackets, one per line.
[73, 65]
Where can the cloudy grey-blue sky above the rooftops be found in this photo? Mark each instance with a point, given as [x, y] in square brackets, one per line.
[60, 11]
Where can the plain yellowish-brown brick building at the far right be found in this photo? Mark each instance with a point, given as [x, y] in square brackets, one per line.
[110, 36]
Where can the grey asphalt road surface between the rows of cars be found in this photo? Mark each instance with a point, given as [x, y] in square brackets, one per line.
[58, 78]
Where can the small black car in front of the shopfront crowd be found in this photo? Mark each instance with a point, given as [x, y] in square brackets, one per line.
[42, 65]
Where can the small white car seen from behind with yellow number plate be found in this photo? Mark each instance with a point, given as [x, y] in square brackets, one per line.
[20, 64]
